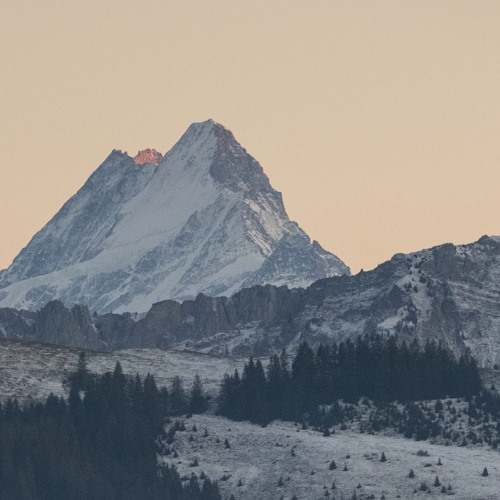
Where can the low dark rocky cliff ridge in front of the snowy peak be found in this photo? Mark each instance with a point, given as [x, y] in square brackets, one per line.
[448, 293]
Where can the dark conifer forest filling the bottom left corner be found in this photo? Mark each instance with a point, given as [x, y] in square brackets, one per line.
[100, 446]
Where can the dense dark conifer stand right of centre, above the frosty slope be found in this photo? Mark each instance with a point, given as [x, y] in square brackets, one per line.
[381, 369]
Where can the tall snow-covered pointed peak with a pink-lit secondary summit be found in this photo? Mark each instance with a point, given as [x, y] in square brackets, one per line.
[203, 218]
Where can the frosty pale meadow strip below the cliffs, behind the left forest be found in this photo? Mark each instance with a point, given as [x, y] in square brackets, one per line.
[30, 371]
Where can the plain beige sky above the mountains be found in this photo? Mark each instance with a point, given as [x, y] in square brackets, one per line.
[379, 121]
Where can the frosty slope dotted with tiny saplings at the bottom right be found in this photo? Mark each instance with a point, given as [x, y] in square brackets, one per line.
[260, 456]
